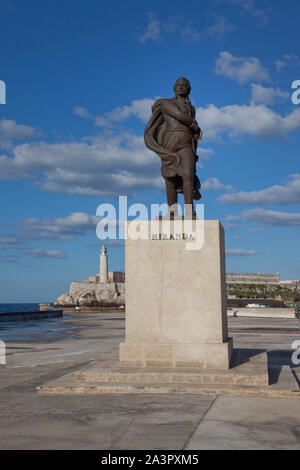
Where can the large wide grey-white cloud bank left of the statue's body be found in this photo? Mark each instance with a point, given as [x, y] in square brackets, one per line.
[98, 166]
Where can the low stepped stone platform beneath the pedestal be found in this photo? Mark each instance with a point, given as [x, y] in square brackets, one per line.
[247, 377]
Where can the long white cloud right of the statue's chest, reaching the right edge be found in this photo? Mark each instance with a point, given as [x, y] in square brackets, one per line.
[252, 120]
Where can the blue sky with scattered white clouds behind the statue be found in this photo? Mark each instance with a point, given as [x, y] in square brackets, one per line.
[81, 77]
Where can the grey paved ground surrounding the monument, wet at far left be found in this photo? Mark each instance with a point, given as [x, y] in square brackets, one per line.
[44, 352]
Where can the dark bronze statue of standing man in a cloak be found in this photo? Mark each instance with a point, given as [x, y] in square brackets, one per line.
[173, 133]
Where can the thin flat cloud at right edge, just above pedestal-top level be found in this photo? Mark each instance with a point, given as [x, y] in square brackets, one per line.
[272, 217]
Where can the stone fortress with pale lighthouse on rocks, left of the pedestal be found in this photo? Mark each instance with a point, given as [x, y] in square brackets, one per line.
[104, 289]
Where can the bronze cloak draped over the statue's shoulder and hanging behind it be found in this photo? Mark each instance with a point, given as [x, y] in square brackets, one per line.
[171, 162]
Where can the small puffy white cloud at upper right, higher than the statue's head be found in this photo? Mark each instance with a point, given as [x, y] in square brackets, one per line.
[241, 69]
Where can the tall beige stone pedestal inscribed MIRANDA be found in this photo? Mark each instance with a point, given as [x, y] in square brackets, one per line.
[175, 296]
